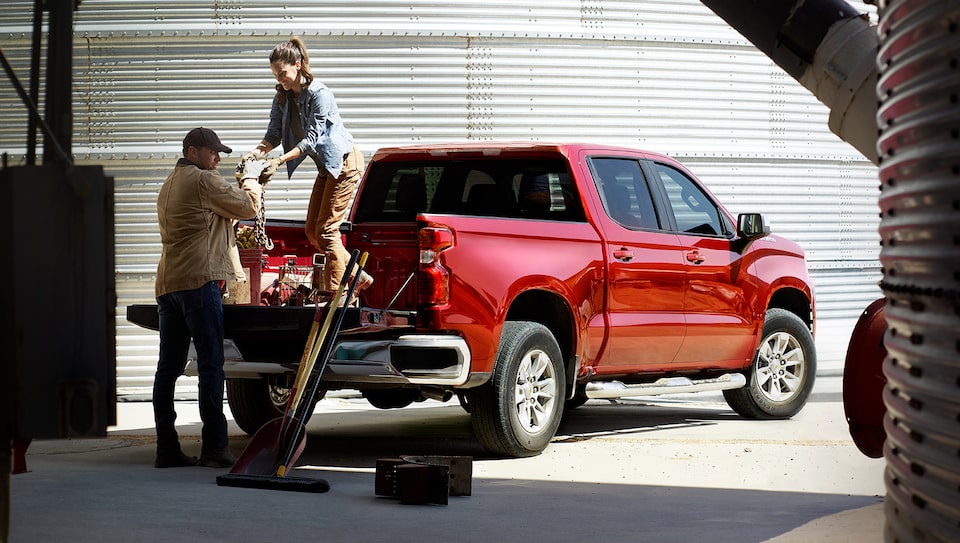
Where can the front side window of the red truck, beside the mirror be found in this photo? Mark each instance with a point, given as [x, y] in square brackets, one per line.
[694, 212]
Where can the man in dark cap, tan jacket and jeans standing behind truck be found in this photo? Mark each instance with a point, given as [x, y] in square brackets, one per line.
[196, 210]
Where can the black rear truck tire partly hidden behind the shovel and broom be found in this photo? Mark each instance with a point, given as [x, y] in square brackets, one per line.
[254, 402]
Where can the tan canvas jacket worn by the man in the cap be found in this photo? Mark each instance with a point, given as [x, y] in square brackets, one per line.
[196, 211]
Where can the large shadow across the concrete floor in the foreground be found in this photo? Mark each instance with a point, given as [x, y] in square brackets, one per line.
[116, 495]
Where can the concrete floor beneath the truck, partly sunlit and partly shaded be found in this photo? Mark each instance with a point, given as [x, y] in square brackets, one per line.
[675, 469]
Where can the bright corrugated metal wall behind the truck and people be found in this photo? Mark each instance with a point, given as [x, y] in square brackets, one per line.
[665, 75]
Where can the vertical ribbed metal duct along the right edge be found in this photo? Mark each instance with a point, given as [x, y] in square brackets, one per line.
[919, 145]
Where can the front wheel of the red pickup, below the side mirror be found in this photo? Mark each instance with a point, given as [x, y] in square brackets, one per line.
[781, 377]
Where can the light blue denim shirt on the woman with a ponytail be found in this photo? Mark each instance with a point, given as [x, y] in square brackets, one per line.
[325, 138]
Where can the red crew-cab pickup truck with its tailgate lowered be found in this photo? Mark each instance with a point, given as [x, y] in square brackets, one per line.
[526, 278]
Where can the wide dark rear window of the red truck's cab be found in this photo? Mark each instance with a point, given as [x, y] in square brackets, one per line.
[532, 188]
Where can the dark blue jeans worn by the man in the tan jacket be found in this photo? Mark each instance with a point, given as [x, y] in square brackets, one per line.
[187, 314]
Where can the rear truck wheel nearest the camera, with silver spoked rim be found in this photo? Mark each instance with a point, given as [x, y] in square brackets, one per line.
[528, 364]
